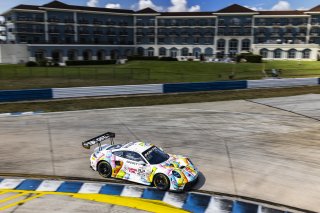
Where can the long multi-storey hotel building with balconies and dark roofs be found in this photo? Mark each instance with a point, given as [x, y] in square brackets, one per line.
[68, 32]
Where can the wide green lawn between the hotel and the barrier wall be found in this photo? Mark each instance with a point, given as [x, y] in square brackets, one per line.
[142, 72]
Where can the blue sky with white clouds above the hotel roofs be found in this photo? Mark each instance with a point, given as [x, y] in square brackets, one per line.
[175, 5]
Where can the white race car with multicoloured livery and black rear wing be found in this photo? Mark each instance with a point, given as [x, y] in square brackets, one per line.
[142, 163]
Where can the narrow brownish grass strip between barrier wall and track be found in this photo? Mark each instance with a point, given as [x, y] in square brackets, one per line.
[112, 102]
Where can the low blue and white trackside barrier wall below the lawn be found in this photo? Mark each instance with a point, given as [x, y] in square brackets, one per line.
[75, 92]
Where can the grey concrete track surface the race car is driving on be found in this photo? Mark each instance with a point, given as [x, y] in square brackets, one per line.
[266, 149]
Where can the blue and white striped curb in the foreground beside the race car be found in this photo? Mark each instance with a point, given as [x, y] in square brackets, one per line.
[193, 202]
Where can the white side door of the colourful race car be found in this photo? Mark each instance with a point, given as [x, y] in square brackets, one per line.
[136, 166]
